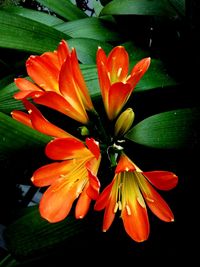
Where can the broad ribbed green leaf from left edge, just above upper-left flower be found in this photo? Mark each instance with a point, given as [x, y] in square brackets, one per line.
[27, 35]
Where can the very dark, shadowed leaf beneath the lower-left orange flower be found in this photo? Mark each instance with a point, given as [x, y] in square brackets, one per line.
[31, 236]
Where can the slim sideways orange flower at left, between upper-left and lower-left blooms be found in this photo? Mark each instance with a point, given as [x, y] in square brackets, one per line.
[36, 120]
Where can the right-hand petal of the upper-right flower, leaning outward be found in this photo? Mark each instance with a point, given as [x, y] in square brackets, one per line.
[138, 71]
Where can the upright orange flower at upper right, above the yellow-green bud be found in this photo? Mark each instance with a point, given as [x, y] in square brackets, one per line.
[115, 83]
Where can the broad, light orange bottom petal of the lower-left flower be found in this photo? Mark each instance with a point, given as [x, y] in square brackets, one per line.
[57, 201]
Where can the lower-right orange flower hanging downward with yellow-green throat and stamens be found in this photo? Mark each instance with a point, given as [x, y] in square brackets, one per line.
[129, 191]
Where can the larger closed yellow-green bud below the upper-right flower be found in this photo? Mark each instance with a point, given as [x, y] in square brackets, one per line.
[124, 122]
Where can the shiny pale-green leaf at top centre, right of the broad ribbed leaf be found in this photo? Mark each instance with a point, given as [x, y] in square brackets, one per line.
[93, 28]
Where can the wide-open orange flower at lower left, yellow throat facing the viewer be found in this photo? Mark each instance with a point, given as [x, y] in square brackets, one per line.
[72, 176]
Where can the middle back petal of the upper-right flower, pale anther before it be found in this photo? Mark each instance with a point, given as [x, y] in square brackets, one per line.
[118, 64]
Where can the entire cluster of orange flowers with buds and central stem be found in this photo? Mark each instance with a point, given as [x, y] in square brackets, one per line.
[56, 81]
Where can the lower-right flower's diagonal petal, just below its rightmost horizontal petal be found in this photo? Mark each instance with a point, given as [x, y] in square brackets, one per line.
[157, 204]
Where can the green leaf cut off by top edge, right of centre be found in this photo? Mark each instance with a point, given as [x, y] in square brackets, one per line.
[139, 7]
